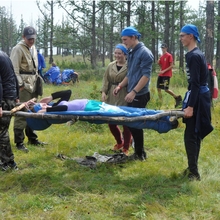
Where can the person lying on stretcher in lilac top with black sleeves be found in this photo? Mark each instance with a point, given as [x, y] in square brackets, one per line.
[63, 104]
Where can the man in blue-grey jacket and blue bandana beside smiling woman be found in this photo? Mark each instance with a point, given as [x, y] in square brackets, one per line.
[140, 61]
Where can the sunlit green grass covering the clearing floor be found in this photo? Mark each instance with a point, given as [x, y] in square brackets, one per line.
[48, 188]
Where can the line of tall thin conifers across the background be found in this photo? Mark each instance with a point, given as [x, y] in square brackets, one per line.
[92, 28]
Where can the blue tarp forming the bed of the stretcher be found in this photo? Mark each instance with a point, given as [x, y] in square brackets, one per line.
[161, 125]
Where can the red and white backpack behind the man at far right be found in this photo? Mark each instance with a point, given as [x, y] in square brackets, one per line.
[212, 82]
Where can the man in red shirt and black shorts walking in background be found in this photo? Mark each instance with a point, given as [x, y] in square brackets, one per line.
[165, 73]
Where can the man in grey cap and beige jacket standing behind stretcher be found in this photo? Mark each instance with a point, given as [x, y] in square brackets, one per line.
[25, 62]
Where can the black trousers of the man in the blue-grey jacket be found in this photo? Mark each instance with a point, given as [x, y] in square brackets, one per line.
[138, 134]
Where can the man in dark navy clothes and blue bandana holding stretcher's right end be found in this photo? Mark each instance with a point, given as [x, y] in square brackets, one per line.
[197, 103]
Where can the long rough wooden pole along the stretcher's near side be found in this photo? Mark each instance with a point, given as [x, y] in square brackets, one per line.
[173, 116]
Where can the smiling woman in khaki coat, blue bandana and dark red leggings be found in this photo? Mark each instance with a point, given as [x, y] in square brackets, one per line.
[114, 74]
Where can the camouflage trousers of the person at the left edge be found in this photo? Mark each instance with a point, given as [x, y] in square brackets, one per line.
[6, 153]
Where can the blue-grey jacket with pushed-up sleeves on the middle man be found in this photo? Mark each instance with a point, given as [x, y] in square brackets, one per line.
[140, 60]
